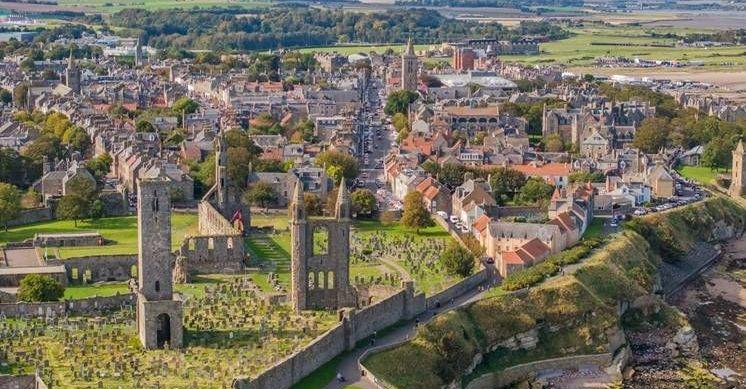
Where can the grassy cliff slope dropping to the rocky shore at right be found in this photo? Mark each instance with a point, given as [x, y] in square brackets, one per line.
[569, 315]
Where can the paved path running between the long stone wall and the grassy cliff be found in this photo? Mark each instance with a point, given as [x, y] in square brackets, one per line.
[349, 367]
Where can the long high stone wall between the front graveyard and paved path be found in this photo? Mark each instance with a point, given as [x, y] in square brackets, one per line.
[355, 326]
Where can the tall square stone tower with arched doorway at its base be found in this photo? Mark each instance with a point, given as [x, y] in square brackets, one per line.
[159, 316]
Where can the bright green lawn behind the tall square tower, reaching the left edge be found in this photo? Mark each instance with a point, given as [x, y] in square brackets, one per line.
[122, 231]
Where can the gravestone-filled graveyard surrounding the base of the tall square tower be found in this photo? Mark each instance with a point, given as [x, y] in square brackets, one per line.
[230, 330]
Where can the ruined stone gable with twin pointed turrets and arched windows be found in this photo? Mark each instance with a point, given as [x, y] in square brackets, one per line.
[320, 278]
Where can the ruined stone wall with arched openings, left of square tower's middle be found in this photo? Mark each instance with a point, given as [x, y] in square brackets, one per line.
[102, 267]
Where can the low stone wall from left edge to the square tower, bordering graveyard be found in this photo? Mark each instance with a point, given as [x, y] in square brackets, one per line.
[68, 307]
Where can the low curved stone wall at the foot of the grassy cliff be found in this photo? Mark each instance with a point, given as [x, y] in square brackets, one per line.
[518, 372]
